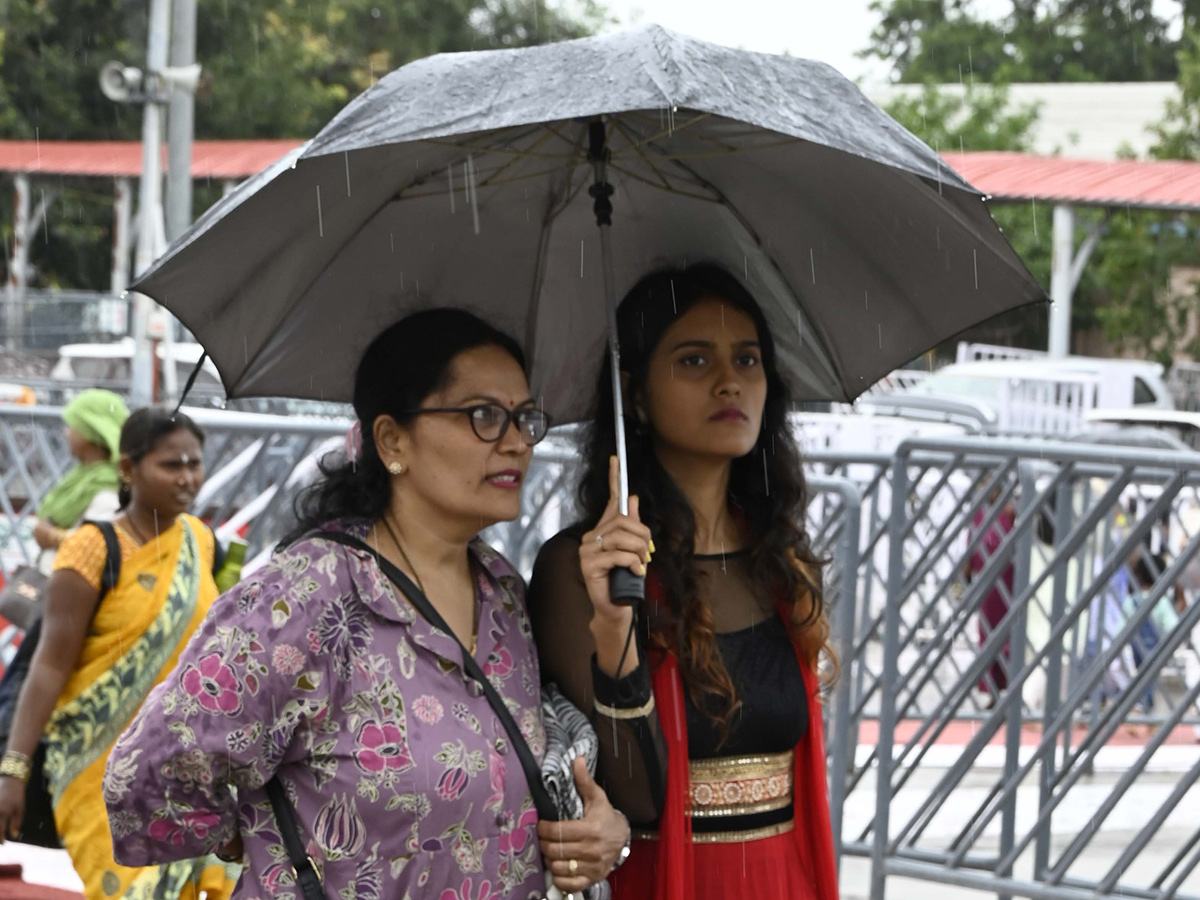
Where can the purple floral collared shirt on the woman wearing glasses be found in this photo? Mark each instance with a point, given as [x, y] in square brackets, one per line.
[319, 670]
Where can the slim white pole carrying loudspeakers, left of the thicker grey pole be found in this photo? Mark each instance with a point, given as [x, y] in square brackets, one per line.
[151, 224]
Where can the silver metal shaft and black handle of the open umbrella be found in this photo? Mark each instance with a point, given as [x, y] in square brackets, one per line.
[626, 589]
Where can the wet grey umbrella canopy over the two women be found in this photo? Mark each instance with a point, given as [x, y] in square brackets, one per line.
[463, 181]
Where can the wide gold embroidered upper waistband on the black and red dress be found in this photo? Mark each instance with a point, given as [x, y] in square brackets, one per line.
[741, 785]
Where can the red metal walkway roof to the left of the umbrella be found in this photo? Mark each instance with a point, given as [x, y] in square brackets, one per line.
[123, 159]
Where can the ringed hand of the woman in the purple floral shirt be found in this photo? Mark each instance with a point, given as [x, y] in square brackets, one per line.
[593, 843]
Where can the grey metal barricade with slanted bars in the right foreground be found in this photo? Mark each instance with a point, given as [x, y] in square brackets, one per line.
[1031, 547]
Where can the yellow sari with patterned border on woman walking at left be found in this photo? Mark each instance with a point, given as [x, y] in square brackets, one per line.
[163, 595]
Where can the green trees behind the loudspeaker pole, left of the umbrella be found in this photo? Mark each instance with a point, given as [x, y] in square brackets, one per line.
[275, 69]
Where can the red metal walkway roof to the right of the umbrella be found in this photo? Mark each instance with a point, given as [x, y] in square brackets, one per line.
[1173, 185]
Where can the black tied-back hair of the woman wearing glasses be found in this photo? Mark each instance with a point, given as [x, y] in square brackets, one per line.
[401, 368]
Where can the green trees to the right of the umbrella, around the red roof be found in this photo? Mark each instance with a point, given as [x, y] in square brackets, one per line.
[1124, 290]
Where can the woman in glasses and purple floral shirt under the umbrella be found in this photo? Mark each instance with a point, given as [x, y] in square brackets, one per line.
[323, 680]
